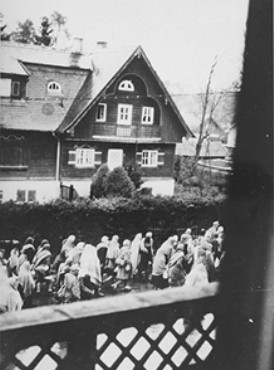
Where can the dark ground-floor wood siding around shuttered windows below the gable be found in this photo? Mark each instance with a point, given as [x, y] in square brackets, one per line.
[70, 171]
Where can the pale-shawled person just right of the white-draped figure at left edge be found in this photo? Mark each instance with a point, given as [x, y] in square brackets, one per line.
[26, 281]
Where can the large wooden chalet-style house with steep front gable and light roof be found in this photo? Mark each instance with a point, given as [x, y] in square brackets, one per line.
[64, 113]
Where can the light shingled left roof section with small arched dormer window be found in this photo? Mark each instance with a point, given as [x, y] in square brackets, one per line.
[38, 112]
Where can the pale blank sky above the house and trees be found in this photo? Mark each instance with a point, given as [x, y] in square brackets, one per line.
[181, 38]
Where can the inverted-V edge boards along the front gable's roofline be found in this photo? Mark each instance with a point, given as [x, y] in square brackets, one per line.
[137, 52]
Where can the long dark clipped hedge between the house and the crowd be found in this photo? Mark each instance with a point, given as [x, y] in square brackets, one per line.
[90, 220]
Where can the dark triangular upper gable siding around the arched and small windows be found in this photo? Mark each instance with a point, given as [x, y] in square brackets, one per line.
[166, 124]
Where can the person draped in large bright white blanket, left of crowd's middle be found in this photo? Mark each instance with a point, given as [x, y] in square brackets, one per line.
[90, 278]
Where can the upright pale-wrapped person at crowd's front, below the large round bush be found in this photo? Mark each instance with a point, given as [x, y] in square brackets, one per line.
[124, 270]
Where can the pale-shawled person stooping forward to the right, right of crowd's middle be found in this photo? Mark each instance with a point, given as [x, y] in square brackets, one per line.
[160, 263]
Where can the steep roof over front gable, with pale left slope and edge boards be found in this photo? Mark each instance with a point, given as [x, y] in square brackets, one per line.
[107, 66]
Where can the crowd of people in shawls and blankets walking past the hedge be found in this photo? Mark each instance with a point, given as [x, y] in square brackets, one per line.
[83, 271]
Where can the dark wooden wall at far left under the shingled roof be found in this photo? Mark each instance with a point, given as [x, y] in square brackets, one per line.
[38, 157]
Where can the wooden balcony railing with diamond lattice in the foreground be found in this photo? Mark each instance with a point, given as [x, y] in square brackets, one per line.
[169, 329]
